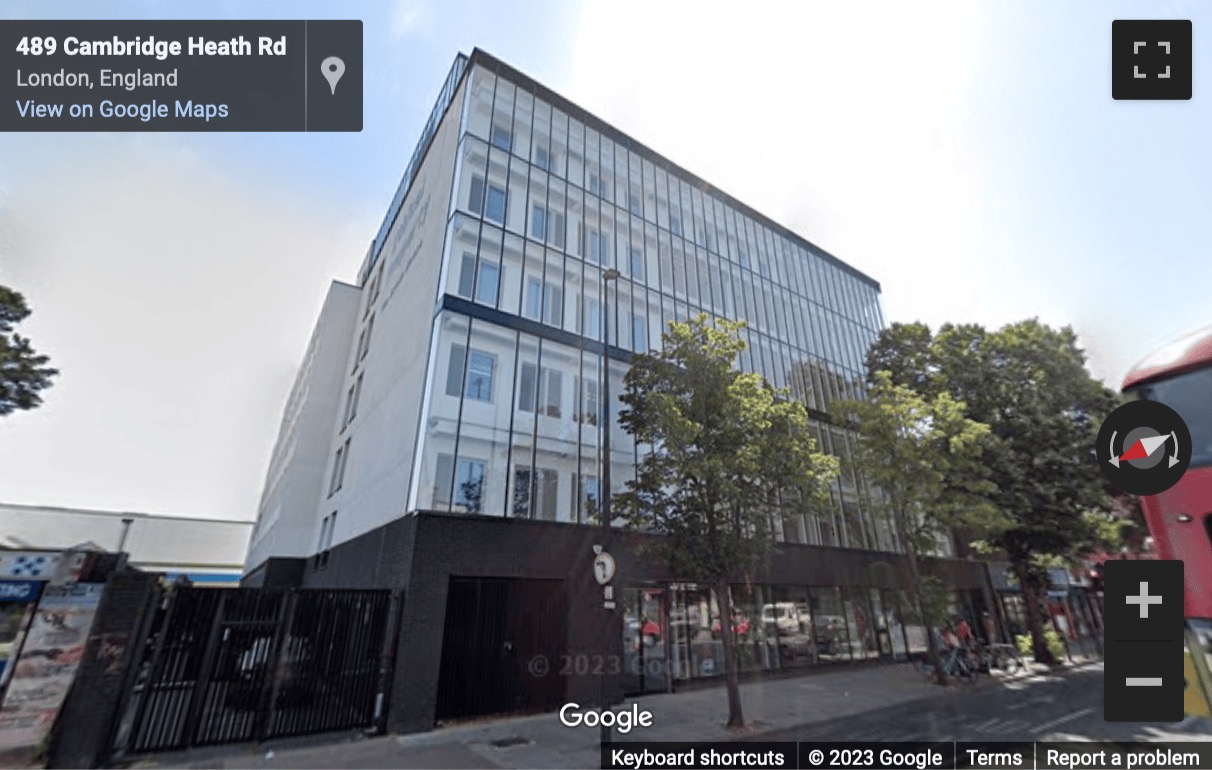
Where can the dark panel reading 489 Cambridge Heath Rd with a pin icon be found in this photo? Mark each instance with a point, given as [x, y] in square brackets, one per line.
[181, 76]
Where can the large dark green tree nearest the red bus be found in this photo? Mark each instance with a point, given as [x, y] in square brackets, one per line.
[1028, 383]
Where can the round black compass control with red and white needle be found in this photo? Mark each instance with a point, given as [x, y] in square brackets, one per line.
[1145, 448]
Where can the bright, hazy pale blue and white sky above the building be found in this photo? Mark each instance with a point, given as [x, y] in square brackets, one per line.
[969, 157]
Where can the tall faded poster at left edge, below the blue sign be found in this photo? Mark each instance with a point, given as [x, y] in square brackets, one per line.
[48, 664]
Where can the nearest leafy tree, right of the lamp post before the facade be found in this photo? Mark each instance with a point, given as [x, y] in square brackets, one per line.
[729, 455]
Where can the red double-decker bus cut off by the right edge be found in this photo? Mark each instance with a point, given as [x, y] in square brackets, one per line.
[1181, 518]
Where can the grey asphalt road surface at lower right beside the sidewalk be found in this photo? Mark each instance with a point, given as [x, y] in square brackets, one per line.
[1033, 709]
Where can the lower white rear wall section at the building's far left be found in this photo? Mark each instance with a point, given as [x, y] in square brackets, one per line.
[300, 461]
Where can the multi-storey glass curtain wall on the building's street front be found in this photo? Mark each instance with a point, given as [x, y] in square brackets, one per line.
[546, 199]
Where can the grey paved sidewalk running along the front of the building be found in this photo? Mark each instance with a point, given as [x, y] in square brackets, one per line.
[542, 742]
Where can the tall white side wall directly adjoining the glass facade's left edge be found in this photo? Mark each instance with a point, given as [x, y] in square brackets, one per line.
[375, 486]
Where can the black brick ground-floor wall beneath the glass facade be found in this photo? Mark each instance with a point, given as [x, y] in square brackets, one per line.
[420, 554]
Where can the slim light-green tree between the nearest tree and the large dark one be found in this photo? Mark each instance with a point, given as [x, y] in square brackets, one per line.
[914, 450]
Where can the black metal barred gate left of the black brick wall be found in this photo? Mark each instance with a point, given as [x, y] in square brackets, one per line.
[230, 666]
